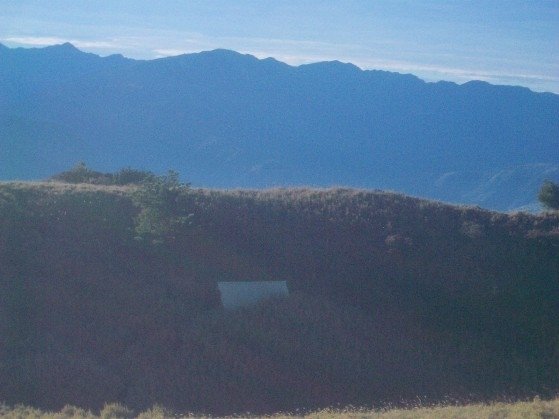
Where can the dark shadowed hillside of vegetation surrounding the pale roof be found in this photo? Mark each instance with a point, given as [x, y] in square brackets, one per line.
[392, 299]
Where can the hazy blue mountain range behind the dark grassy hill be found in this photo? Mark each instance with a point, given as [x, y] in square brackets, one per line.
[223, 119]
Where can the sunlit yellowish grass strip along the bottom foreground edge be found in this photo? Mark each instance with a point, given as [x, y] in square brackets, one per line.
[543, 409]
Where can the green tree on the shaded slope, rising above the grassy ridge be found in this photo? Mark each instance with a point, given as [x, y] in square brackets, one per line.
[161, 214]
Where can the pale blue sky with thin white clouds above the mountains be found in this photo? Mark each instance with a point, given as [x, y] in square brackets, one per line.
[514, 42]
